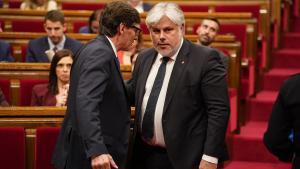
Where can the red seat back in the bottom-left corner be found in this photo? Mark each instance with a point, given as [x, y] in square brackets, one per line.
[12, 148]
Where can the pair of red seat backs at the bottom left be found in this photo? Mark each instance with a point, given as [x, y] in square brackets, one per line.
[13, 147]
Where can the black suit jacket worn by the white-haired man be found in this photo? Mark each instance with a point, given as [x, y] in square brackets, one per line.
[196, 108]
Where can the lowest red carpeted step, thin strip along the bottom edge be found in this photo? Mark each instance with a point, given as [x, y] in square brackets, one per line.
[256, 165]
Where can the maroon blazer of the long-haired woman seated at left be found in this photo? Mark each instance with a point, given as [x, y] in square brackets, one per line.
[41, 96]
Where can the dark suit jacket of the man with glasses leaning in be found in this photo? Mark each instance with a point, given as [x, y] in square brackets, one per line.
[98, 114]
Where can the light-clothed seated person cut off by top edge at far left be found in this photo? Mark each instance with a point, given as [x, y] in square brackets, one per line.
[47, 5]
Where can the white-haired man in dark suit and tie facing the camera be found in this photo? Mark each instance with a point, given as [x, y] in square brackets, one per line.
[182, 104]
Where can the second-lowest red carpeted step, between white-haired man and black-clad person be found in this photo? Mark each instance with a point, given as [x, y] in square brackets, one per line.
[248, 145]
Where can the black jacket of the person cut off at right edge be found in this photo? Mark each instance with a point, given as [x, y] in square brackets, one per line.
[285, 118]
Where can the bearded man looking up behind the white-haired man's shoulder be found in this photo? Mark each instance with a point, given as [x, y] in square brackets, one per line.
[207, 32]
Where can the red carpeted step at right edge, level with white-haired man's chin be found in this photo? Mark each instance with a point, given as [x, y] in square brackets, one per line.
[286, 58]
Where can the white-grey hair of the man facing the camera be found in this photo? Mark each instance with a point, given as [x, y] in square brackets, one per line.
[171, 10]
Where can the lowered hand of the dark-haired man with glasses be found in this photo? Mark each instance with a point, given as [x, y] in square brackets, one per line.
[103, 161]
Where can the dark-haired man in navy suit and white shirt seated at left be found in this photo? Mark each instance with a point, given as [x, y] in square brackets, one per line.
[43, 49]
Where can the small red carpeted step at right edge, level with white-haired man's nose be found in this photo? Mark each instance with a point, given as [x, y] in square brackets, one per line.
[289, 40]
